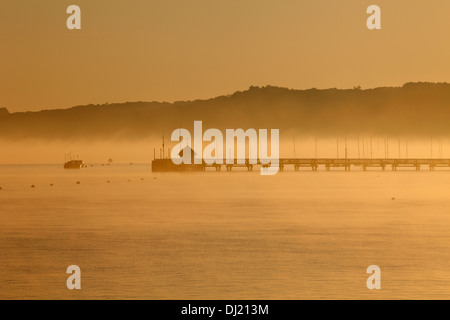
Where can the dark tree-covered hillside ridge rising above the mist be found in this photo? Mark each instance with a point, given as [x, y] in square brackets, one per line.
[415, 109]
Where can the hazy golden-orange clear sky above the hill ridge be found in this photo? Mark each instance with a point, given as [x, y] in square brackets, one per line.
[167, 50]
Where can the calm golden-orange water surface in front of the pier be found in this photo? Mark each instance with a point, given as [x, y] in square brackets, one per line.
[222, 235]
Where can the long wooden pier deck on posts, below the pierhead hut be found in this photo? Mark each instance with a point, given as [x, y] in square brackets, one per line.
[164, 165]
